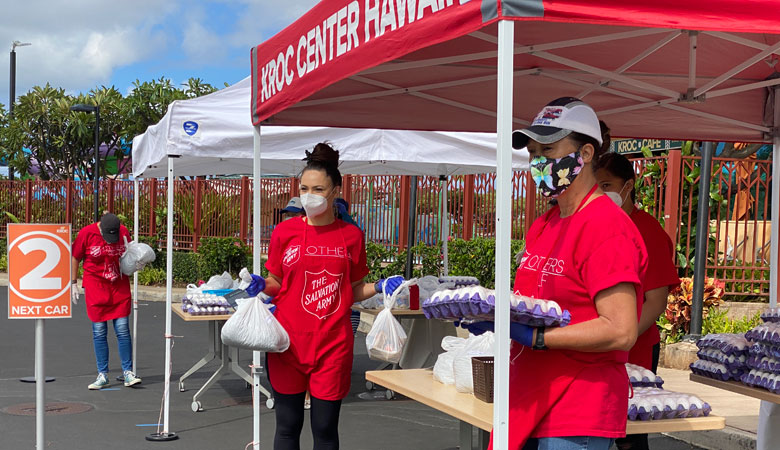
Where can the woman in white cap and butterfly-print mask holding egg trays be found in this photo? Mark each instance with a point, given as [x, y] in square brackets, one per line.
[568, 386]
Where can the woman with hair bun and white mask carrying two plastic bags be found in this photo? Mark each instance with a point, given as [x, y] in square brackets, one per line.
[317, 264]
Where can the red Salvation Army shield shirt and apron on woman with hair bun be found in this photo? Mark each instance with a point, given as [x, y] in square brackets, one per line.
[317, 266]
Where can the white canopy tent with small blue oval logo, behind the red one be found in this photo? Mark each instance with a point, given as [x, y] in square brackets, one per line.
[211, 135]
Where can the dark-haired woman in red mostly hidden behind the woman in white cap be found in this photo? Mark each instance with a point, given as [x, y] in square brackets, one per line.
[615, 175]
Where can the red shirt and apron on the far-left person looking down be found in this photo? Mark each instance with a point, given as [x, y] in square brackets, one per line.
[106, 289]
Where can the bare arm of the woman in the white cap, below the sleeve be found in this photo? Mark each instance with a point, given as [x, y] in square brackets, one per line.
[614, 329]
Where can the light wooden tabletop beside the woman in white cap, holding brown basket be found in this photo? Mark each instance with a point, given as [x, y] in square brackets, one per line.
[419, 385]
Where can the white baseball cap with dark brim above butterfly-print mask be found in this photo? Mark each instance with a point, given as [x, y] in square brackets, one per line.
[558, 119]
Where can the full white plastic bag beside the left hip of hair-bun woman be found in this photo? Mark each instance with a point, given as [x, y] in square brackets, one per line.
[253, 327]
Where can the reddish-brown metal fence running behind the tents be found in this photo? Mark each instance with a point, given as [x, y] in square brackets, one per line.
[668, 189]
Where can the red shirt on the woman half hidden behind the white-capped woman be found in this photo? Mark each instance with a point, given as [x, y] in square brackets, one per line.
[661, 272]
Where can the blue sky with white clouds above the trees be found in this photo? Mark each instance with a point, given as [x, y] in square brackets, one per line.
[81, 44]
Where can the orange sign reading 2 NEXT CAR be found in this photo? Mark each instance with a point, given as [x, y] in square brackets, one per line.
[38, 271]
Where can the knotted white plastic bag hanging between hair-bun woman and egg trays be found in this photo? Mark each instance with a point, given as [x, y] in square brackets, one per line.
[385, 341]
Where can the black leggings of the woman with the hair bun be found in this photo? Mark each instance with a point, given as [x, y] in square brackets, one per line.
[324, 415]
